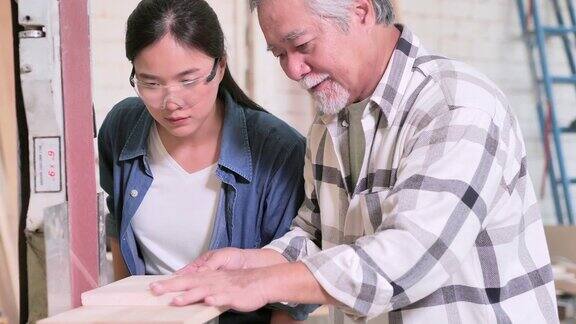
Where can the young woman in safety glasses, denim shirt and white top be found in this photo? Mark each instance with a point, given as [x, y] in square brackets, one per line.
[192, 163]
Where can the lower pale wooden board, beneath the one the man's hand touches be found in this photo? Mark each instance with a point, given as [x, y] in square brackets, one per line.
[197, 313]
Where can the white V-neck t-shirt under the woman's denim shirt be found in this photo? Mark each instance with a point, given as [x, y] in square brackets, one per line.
[173, 224]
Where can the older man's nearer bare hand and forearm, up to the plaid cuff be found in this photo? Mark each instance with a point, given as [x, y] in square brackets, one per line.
[246, 290]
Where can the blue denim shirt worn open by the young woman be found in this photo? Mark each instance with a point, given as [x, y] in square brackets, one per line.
[260, 166]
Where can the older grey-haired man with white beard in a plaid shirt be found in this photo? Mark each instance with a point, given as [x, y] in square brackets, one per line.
[419, 203]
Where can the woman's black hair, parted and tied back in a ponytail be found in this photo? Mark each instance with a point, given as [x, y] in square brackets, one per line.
[191, 23]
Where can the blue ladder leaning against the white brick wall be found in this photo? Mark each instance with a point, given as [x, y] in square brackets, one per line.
[536, 36]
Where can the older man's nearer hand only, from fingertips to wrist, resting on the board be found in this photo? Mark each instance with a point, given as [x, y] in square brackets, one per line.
[242, 290]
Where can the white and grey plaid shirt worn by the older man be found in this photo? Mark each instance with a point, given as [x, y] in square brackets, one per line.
[443, 225]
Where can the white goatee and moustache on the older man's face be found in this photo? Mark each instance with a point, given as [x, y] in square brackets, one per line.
[329, 100]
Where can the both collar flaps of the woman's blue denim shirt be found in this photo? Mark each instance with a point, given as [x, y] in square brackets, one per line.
[235, 154]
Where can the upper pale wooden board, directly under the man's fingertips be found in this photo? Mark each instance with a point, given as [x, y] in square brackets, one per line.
[131, 291]
